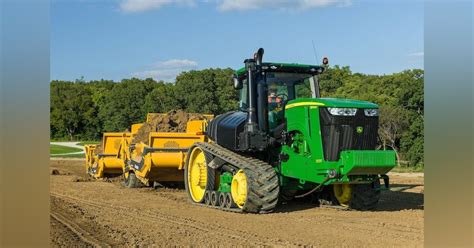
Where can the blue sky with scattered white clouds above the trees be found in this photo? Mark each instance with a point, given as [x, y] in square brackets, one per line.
[159, 38]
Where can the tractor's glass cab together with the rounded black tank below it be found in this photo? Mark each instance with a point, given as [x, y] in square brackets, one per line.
[265, 90]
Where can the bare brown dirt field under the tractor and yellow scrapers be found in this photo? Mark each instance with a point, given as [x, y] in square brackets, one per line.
[87, 212]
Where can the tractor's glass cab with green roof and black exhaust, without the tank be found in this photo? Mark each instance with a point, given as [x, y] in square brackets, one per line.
[266, 88]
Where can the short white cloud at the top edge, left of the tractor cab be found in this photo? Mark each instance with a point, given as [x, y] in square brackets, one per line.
[134, 6]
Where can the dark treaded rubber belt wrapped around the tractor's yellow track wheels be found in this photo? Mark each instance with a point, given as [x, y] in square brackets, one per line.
[263, 185]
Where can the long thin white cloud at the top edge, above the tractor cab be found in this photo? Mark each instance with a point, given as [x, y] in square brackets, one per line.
[227, 5]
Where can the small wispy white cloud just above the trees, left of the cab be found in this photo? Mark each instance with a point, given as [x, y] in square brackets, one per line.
[167, 70]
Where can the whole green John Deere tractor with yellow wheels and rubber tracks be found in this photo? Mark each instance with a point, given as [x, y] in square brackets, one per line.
[287, 142]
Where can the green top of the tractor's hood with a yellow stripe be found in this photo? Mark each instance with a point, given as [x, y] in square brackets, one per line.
[331, 102]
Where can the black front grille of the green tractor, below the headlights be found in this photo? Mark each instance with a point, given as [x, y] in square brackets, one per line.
[339, 133]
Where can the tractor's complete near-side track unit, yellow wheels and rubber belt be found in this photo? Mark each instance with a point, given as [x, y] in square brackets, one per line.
[254, 187]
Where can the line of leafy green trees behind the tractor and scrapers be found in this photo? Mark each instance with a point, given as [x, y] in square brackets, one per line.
[83, 110]
